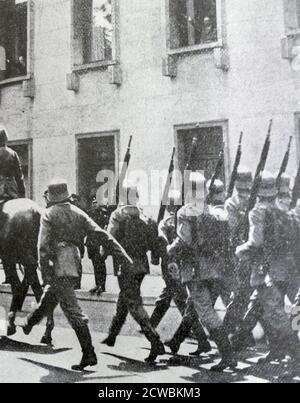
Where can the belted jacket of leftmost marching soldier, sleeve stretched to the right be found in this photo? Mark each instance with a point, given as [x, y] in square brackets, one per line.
[63, 229]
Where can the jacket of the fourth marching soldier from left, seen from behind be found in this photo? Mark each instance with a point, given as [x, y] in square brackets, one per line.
[196, 242]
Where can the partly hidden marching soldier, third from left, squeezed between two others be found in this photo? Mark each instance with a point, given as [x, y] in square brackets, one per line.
[174, 289]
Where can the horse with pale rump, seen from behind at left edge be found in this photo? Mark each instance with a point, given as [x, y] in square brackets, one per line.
[19, 230]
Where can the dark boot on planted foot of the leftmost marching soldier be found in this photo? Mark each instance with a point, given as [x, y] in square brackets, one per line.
[89, 357]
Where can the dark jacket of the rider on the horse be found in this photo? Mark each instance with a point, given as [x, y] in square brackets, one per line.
[11, 176]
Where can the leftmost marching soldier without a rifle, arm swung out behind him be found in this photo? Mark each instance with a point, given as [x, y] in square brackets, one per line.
[63, 228]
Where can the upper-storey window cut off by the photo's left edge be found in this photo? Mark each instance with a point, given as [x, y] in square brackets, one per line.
[13, 38]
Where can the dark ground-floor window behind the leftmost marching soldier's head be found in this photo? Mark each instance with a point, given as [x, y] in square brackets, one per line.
[95, 153]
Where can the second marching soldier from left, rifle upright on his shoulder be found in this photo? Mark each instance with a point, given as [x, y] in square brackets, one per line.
[137, 235]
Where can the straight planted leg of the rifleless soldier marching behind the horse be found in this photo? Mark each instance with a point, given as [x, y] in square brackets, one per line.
[65, 294]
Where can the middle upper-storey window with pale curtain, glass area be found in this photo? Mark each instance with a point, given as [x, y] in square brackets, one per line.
[93, 33]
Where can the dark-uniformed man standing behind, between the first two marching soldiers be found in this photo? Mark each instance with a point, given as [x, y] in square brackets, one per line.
[100, 214]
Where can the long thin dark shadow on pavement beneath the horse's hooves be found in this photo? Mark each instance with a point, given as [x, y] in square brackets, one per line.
[7, 344]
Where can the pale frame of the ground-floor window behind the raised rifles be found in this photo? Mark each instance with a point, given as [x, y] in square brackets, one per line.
[224, 123]
